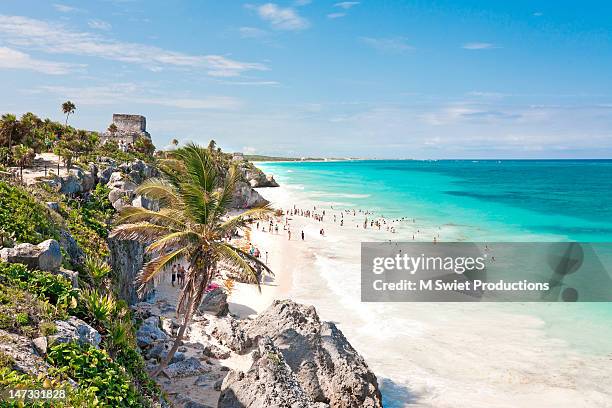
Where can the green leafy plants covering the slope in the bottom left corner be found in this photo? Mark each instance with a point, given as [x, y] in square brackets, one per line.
[29, 303]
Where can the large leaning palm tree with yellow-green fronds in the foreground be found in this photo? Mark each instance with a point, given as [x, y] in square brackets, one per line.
[190, 226]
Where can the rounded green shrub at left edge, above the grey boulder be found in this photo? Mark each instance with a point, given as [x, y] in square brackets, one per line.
[24, 218]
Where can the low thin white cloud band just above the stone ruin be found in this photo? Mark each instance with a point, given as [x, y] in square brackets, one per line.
[130, 93]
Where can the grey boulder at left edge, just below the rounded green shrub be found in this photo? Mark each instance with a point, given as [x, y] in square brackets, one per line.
[46, 256]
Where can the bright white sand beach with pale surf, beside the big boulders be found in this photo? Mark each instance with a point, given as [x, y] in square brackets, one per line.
[424, 354]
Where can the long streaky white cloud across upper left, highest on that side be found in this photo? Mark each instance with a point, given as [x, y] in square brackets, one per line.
[25, 32]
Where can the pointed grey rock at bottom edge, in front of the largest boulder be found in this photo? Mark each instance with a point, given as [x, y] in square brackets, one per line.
[269, 382]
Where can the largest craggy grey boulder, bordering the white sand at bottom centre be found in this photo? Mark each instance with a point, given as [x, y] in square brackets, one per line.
[325, 364]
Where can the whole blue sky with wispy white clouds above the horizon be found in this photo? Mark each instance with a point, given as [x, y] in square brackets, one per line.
[370, 78]
